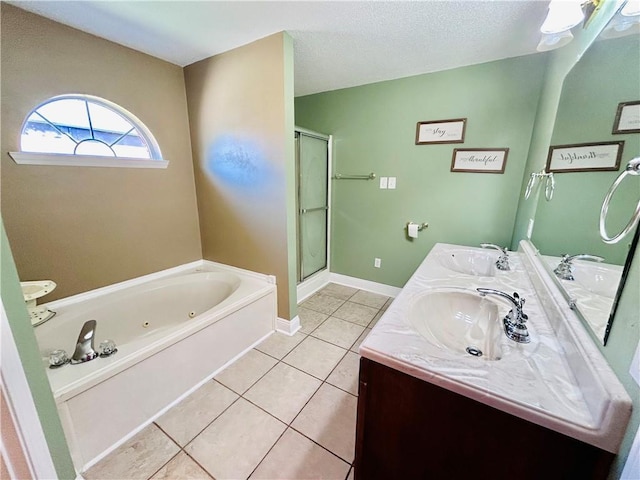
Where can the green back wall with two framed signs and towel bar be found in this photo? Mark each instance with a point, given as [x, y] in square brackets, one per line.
[374, 131]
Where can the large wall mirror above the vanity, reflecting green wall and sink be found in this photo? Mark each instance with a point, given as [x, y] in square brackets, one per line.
[607, 75]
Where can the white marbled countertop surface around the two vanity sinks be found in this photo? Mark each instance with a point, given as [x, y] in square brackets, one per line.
[534, 381]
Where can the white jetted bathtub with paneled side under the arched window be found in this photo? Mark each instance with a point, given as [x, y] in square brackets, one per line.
[174, 331]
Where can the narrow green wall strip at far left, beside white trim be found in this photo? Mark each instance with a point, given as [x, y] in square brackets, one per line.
[27, 346]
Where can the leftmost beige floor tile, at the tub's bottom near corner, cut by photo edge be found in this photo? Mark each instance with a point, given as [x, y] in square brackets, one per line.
[138, 458]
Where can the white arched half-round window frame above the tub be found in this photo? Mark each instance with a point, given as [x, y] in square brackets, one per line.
[76, 160]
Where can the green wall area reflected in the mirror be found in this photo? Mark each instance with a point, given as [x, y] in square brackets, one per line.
[591, 92]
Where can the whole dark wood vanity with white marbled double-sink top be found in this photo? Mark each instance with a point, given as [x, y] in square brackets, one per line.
[443, 393]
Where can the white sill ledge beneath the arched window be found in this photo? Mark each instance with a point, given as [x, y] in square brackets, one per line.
[62, 160]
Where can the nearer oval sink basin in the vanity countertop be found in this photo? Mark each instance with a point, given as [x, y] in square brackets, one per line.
[461, 322]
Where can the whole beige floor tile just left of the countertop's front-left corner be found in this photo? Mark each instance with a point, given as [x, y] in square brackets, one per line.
[316, 357]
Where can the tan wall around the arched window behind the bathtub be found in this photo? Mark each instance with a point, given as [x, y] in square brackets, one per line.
[86, 227]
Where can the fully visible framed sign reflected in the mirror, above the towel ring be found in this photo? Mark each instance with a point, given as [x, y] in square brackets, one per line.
[585, 157]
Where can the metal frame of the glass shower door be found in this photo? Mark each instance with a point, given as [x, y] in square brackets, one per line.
[320, 274]
